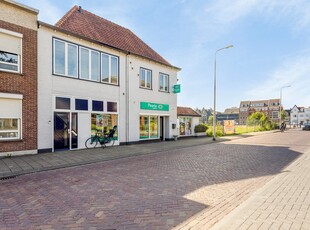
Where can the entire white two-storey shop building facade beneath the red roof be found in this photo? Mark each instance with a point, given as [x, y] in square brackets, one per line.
[127, 94]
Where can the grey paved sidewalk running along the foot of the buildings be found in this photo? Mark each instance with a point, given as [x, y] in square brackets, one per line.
[19, 165]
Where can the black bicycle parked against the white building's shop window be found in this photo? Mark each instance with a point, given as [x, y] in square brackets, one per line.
[106, 138]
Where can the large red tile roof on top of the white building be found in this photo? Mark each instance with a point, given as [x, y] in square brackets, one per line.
[89, 25]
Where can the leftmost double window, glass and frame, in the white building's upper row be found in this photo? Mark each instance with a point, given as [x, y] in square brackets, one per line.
[65, 58]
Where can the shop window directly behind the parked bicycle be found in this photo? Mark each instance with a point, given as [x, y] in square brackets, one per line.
[102, 123]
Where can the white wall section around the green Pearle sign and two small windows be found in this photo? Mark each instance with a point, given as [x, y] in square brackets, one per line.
[137, 95]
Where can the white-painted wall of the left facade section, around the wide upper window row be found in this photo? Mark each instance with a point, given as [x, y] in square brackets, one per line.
[50, 85]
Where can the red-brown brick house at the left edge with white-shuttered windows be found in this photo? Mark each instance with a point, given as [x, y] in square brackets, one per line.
[18, 78]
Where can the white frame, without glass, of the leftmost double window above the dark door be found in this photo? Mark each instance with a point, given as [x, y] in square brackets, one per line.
[66, 58]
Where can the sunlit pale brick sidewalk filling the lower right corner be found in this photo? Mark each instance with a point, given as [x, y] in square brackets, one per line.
[283, 203]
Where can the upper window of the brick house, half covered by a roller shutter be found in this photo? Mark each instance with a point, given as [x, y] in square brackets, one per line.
[10, 51]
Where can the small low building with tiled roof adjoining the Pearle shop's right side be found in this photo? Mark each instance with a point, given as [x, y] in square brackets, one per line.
[187, 120]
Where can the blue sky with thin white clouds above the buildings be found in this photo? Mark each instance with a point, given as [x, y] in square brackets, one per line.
[271, 41]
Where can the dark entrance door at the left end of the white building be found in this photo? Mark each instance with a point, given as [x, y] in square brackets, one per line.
[61, 130]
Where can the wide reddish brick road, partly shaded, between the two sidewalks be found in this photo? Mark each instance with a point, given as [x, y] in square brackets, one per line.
[191, 187]
